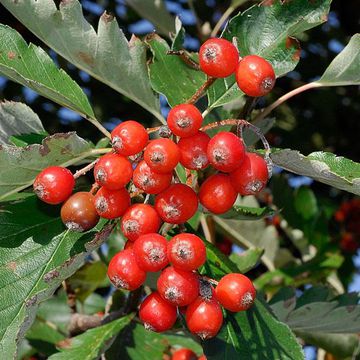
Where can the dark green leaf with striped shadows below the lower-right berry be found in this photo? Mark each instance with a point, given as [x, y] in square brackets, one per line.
[254, 334]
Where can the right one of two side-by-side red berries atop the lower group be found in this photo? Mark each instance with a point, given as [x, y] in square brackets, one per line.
[186, 252]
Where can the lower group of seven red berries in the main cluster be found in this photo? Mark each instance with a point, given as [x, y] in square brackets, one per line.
[179, 286]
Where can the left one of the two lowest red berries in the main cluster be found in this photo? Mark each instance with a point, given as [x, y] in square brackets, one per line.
[157, 314]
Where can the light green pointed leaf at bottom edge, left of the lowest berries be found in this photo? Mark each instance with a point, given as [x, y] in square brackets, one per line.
[91, 344]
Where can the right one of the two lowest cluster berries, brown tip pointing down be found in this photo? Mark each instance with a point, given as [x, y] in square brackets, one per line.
[204, 317]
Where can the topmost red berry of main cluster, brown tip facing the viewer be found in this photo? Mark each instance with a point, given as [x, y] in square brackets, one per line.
[184, 120]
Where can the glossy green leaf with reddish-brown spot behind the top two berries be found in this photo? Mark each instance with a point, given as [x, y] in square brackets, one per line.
[274, 40]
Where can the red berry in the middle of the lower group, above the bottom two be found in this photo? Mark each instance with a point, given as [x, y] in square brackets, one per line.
[178, 287]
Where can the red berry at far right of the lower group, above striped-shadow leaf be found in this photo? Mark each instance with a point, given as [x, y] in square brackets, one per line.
[235, 292]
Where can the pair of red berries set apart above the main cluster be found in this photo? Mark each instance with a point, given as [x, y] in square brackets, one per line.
[219, 58]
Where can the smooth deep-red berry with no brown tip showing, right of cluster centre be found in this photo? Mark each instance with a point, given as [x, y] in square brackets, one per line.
[217, 194]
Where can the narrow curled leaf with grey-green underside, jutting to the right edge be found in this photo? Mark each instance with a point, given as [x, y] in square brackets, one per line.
[327, 168]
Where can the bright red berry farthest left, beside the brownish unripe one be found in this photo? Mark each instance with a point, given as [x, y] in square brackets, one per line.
[54, 184]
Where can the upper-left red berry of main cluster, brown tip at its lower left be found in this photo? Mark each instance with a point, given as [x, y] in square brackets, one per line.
[129, 138]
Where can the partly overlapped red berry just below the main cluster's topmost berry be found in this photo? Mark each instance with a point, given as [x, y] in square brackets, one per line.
[193, 150]
